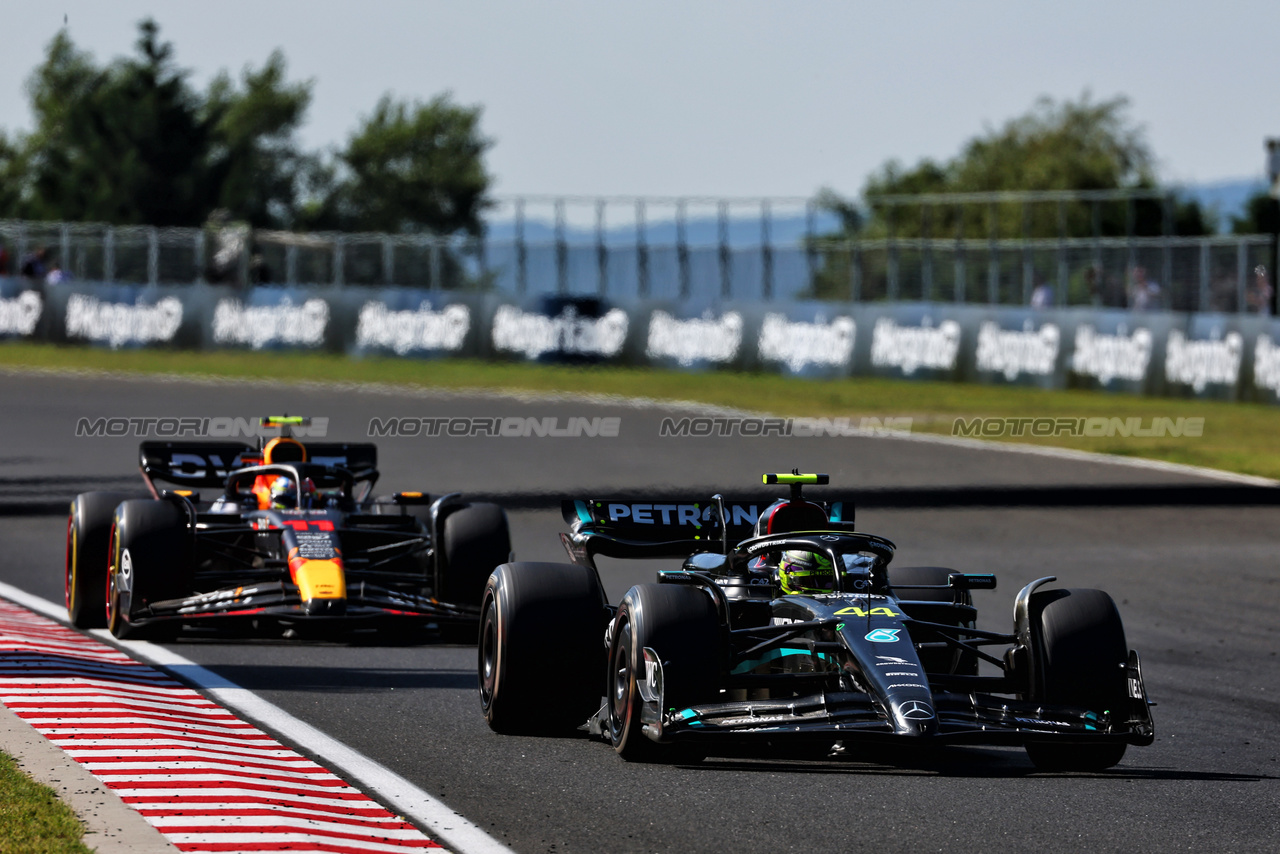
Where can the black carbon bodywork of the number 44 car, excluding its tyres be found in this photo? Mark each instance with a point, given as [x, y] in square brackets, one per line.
[868, 660]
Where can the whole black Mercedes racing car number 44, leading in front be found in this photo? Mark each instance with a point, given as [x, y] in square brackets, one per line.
[802, 631]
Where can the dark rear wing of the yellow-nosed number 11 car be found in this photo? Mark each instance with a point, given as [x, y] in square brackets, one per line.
[196, 465]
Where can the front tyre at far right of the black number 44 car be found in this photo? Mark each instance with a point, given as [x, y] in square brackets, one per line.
[1084, 657]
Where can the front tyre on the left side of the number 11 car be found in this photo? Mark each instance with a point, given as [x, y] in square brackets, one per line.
[150, 561]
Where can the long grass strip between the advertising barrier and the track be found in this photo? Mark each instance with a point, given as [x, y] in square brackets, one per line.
[1237, 437]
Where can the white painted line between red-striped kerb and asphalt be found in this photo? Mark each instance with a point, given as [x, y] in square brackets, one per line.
[446, 825]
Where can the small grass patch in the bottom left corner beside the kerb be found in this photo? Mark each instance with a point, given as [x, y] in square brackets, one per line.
[33, 820]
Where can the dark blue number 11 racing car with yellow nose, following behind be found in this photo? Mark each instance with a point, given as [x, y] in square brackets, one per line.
[294, 542]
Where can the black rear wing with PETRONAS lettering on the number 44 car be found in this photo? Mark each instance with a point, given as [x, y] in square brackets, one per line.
[653, 528]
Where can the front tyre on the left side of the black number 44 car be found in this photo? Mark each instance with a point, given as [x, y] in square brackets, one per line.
[682, 625]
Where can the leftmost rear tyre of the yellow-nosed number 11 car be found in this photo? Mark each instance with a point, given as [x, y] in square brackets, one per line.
[89, 528]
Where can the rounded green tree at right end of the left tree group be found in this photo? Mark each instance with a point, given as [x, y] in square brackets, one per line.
[412, 167]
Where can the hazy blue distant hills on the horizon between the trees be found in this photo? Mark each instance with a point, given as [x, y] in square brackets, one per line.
[1226, 199]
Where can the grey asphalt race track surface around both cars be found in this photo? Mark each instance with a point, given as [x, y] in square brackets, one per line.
[1197, 582]
